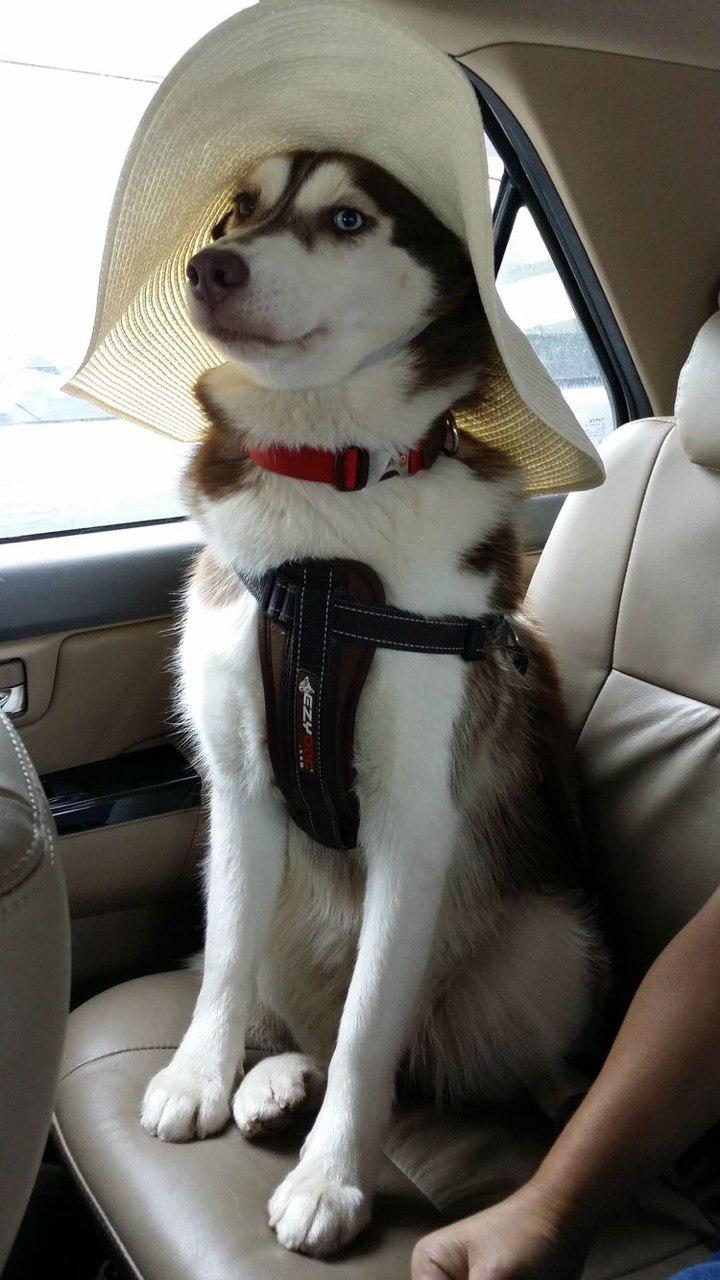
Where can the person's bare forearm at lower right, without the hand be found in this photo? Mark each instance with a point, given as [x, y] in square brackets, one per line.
[659, 1089]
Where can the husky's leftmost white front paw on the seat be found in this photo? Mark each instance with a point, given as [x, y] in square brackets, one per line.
[184, 1103]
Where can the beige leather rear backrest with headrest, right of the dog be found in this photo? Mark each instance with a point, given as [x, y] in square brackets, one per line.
[628, 591]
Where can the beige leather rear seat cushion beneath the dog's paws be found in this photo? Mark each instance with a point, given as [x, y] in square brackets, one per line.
[198, 1212]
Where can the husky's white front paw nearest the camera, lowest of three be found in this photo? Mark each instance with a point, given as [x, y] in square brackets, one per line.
[312, 1213]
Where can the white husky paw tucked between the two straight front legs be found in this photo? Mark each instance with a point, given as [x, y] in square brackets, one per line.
[275, 1091]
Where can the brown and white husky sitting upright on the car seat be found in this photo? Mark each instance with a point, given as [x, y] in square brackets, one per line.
[457, 944]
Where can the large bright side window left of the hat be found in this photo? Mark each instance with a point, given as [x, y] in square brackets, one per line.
[75, 104]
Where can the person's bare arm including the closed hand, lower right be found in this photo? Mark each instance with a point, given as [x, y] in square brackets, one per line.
[659, 1091]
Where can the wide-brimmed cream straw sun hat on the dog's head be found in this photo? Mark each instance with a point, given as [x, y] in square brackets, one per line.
[304, 75]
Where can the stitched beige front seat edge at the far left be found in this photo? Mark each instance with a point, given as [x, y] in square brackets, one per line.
[35, 977]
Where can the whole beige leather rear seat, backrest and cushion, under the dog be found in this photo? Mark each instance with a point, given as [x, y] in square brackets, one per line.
[630, 592]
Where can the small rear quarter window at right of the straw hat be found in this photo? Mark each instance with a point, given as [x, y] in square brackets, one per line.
[537, 301]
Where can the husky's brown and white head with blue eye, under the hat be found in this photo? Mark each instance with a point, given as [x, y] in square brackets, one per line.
[322, 260]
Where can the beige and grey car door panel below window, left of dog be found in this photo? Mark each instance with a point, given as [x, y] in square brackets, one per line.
[92, 619]
